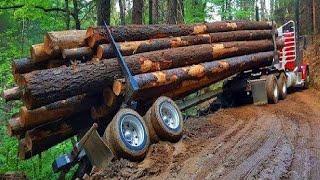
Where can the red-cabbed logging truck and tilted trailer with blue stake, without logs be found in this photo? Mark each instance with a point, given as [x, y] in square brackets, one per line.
[129, 134]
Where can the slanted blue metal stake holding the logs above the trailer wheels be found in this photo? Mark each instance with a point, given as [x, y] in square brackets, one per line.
[131, 84]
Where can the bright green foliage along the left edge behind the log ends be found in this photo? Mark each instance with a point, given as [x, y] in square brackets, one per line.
[19, 28]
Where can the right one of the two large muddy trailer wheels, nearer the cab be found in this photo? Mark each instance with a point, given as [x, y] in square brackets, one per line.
[165, 119]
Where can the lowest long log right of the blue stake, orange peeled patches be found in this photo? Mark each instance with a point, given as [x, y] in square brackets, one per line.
[176, 83]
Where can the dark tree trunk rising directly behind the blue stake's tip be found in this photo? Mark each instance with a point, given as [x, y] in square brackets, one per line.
[103, 11]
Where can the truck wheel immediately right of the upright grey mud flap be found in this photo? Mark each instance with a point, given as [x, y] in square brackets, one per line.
[272, 89]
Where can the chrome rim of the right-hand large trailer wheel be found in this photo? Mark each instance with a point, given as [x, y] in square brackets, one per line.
[169, 115]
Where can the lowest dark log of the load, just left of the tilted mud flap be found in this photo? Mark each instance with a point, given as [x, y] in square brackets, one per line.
[45, 136]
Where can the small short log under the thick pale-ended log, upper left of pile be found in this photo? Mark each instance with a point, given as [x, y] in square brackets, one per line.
[81, 54]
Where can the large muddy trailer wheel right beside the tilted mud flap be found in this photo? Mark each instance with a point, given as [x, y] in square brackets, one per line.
[128, 136]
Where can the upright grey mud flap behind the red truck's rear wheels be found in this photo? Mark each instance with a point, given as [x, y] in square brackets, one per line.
[259, 92]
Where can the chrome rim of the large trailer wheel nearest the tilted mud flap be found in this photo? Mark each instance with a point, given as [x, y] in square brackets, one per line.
[132, 130]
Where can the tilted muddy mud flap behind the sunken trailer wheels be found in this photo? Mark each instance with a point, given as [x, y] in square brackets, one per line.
[96, 149]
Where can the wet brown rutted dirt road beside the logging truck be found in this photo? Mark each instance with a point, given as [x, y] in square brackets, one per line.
[272, 141]
